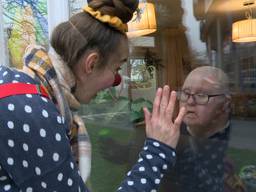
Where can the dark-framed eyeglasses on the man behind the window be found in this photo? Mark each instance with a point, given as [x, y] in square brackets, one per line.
[199, 98]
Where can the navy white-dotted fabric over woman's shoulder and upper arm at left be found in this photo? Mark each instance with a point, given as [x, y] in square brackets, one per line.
[32, 131]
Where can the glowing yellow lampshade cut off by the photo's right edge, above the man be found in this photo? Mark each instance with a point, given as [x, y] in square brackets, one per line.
[244, 31]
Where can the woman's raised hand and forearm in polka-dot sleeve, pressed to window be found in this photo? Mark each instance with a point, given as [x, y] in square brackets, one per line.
[158, 154]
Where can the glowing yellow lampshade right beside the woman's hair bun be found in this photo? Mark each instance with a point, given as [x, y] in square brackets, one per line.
[145, 24]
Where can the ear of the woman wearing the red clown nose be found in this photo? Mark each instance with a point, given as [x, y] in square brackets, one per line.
[90, 61]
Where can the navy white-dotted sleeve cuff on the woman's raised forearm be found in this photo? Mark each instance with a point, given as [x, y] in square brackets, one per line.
[150, 168]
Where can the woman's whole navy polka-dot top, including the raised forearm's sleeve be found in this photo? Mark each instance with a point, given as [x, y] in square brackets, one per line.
[35, 154]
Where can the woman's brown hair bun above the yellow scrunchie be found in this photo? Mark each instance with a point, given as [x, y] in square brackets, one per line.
[123, 9]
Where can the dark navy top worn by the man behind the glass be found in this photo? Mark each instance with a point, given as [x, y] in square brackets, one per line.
[200, 163]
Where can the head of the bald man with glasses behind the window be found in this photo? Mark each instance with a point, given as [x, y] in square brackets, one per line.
[206, 96]
